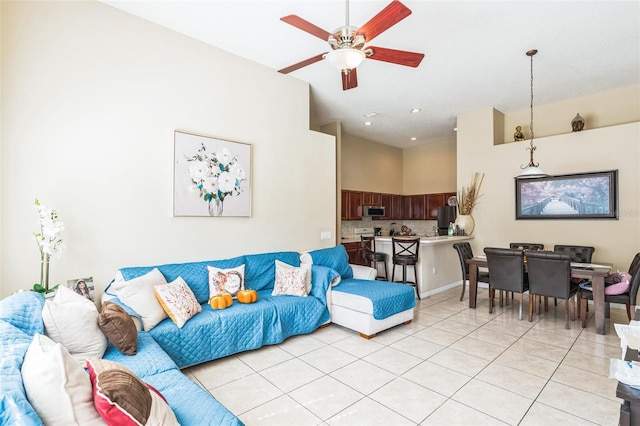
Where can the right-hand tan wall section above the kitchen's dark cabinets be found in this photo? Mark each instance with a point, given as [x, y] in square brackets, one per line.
[429, 168]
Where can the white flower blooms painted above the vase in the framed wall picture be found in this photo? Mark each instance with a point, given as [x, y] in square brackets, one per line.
[217, 175]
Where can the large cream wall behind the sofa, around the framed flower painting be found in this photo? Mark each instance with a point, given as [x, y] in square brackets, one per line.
[91, 97]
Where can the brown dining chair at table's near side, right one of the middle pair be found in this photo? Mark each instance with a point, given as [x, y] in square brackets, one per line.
[550, 275]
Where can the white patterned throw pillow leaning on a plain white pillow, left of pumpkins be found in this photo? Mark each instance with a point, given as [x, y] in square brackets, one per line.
[178, 301]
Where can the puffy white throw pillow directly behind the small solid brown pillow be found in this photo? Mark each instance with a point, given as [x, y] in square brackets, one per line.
[72, 320]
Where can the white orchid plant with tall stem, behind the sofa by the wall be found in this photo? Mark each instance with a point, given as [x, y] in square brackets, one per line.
[49, 242]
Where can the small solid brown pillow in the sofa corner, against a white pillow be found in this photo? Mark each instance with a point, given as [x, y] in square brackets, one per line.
[119, 328]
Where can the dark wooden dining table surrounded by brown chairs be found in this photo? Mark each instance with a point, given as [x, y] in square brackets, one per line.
[594, 272]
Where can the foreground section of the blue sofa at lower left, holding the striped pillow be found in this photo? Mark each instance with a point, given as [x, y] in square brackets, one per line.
[21, 319]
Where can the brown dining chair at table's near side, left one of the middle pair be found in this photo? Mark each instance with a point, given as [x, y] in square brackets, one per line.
[506, 267]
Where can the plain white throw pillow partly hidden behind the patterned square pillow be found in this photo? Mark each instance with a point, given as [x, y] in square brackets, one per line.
[139, 295]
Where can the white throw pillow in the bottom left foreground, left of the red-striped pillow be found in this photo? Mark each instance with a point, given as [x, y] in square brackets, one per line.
[57, 386]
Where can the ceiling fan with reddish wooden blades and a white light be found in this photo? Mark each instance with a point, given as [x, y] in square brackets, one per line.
[347, 43]
